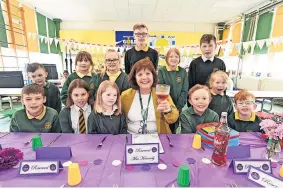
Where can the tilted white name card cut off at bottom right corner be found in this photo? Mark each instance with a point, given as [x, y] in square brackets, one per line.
[264, 179]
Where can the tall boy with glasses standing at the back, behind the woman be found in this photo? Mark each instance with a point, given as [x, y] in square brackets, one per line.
[141, 50]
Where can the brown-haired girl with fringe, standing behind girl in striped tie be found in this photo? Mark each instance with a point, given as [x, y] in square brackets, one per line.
[84, 67]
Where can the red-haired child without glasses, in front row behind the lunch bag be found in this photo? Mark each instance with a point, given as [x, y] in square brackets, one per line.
[198, 113]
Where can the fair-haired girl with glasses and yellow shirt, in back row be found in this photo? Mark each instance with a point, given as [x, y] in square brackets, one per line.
[112, 72]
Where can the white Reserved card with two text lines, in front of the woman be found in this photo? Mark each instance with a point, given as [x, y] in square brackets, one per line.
[142, 154]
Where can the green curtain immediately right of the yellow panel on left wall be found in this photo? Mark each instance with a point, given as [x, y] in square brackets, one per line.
[41, 24]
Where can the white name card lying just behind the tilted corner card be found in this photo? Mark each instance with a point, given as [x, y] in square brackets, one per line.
[242, 166]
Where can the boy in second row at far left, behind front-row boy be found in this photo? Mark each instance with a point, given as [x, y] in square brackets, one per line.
[38, 74]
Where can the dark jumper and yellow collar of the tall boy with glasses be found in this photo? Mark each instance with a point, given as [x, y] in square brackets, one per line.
[135, 54]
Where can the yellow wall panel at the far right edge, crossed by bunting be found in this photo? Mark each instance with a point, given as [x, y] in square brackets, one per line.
[278, 29]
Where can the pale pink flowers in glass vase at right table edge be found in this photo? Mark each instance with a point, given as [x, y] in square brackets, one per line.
[273, 128]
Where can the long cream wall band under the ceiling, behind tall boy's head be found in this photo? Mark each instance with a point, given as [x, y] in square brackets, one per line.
[128, 26]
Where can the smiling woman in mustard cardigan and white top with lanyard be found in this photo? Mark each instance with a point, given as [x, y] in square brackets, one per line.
[145, 115]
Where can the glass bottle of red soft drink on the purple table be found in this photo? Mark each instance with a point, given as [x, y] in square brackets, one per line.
[221, 140]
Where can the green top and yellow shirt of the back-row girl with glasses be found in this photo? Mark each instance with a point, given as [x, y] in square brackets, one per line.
[120, 78]
